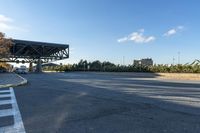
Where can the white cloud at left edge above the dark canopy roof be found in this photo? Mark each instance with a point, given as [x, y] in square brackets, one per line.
[6, 24]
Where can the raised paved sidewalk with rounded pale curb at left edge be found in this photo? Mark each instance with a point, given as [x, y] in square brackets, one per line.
[11, 79]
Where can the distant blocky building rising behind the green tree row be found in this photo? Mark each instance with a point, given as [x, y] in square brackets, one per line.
[143, 62]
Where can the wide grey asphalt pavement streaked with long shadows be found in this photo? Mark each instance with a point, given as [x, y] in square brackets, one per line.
[108, 103]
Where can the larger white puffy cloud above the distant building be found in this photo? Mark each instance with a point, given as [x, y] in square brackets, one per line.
[137, 37]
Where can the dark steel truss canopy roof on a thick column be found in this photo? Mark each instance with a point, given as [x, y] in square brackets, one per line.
[37, 52]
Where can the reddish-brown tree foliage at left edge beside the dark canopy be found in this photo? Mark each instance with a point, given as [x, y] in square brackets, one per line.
[5, 44]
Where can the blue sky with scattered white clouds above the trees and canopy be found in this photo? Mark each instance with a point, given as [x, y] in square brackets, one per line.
[109, 30]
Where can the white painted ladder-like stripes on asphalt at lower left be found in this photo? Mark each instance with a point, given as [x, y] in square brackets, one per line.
[18, 126]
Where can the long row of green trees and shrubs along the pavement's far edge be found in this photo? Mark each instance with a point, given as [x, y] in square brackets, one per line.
[106, 66]
